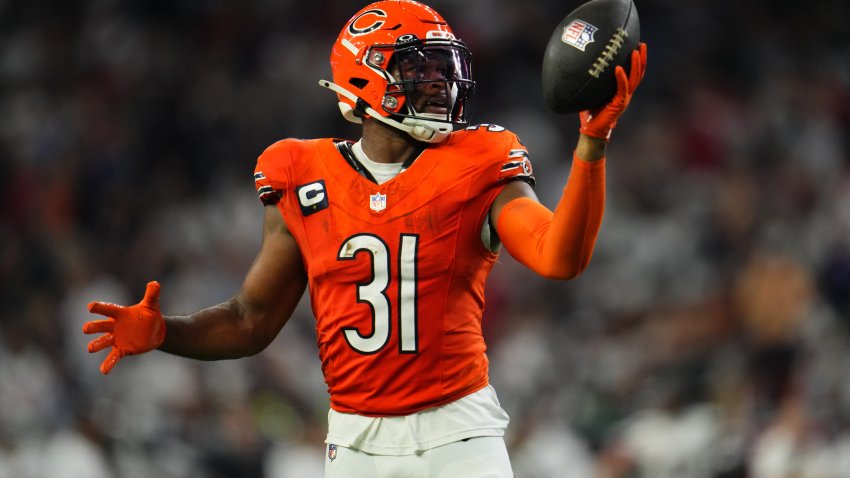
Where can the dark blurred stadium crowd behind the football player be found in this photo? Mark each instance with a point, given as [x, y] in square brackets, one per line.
[709, 338]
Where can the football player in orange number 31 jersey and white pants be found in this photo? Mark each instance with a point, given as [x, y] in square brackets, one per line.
[394, 236]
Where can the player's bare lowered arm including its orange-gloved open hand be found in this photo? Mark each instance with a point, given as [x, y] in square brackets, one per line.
[243, 325]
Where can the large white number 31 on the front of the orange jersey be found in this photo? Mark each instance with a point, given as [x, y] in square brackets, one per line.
[374, 292]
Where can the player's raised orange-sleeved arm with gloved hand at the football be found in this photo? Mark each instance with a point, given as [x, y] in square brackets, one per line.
[559, 244]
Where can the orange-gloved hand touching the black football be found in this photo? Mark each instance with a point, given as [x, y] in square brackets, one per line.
[599, 123]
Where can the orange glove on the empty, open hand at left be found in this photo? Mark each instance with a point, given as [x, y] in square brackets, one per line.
[129, 330]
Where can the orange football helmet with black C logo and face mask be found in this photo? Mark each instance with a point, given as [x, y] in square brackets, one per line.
[400, 63]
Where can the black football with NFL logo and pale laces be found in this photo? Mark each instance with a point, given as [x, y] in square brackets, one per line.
[579, 61]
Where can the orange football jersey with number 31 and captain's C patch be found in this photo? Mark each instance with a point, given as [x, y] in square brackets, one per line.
[396, 271]
